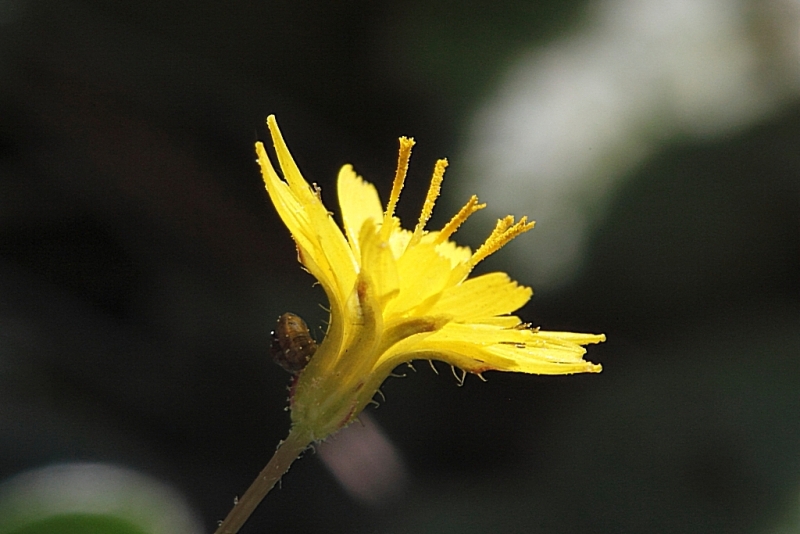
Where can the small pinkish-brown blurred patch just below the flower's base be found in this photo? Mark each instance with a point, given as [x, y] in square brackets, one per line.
[365, 462]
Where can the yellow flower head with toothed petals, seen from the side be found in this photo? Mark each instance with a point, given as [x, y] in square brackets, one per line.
[398, 295]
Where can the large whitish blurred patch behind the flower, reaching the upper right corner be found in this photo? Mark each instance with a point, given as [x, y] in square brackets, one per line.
[571, 118]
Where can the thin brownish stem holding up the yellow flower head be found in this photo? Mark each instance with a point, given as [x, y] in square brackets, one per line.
[287, 452]
